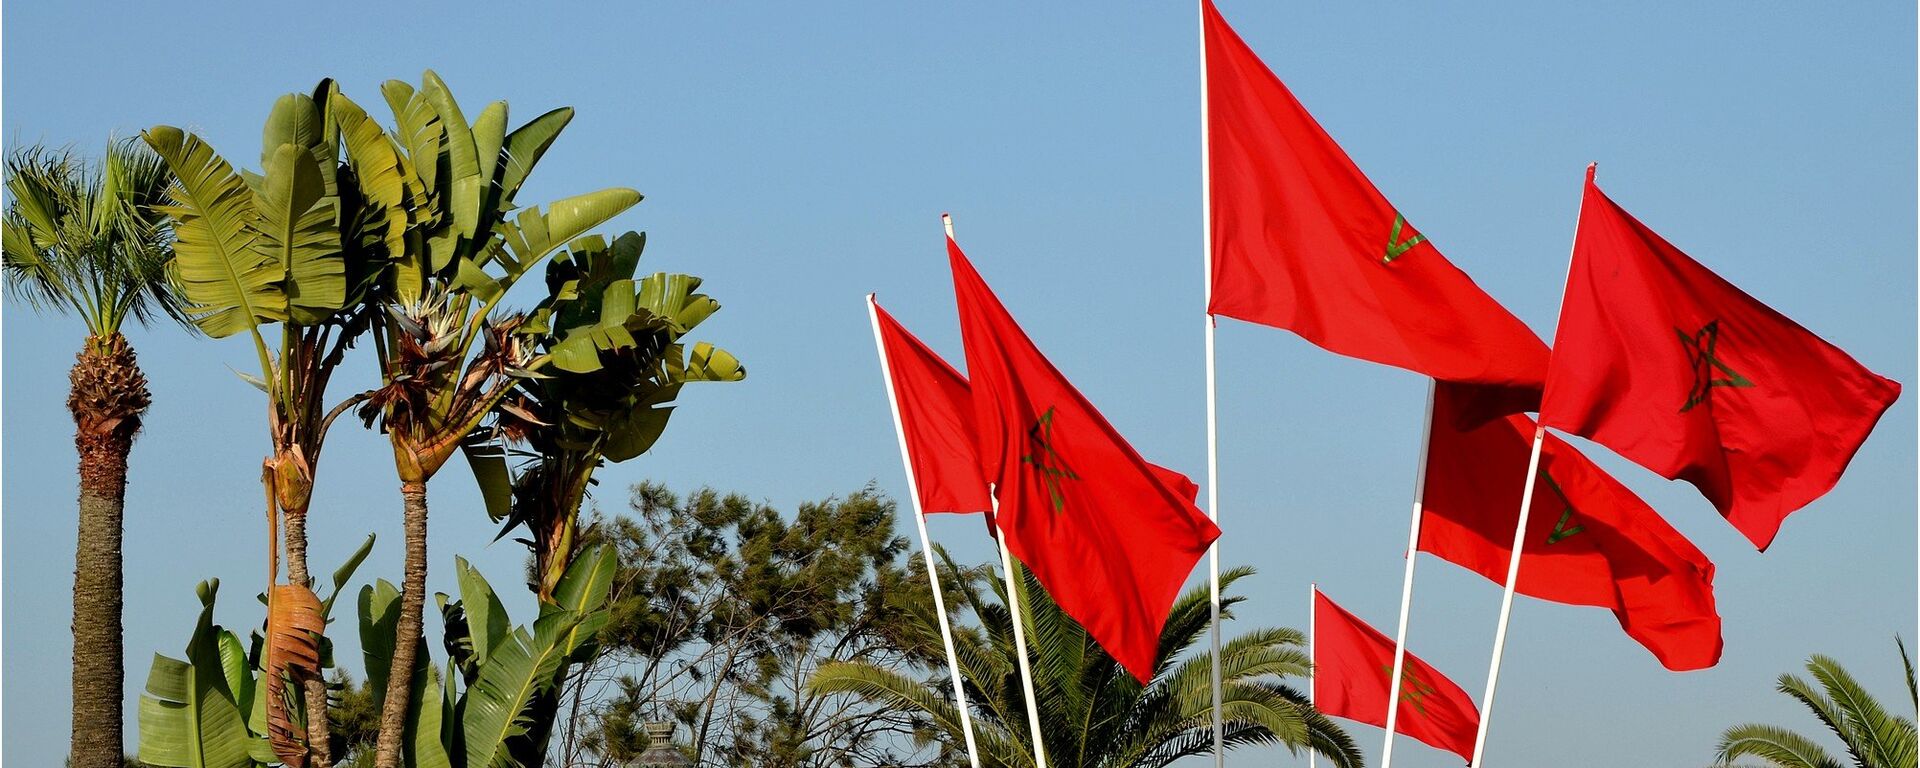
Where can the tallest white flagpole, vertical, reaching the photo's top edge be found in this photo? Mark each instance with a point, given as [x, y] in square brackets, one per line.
[1212, 410]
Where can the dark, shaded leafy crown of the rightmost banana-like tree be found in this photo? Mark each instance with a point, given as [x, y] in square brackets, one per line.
[619, 360]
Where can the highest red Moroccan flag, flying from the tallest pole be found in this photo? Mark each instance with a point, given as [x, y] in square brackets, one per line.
[1305, 243]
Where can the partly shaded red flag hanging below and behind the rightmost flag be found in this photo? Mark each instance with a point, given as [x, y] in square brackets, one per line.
[1589, 539]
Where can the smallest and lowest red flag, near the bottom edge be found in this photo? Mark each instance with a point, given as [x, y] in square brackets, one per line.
[1353, 669]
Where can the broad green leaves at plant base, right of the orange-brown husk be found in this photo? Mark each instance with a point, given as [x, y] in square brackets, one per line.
[498, 696]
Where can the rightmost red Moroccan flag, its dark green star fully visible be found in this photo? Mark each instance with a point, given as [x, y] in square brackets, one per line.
[1687, 375]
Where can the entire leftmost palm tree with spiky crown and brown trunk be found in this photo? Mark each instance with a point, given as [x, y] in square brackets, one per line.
[85, 241]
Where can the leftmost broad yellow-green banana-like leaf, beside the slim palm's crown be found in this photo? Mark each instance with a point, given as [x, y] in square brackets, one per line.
[229, 283]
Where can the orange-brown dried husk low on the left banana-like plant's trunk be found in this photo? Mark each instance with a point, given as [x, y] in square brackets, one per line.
[295, 627]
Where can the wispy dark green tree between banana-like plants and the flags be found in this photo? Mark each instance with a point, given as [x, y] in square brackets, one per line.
[725, 608]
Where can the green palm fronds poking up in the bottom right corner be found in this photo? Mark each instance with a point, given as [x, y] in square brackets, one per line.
[1875, 738]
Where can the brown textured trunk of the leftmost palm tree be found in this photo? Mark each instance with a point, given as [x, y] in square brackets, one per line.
[107, 402]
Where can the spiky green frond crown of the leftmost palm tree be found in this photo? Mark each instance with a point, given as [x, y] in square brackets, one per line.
[87, 239]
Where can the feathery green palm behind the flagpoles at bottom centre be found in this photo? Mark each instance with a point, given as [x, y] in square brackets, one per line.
[1095, 713]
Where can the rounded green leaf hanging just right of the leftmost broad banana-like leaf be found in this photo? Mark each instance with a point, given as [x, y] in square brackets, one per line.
[297, 224]
